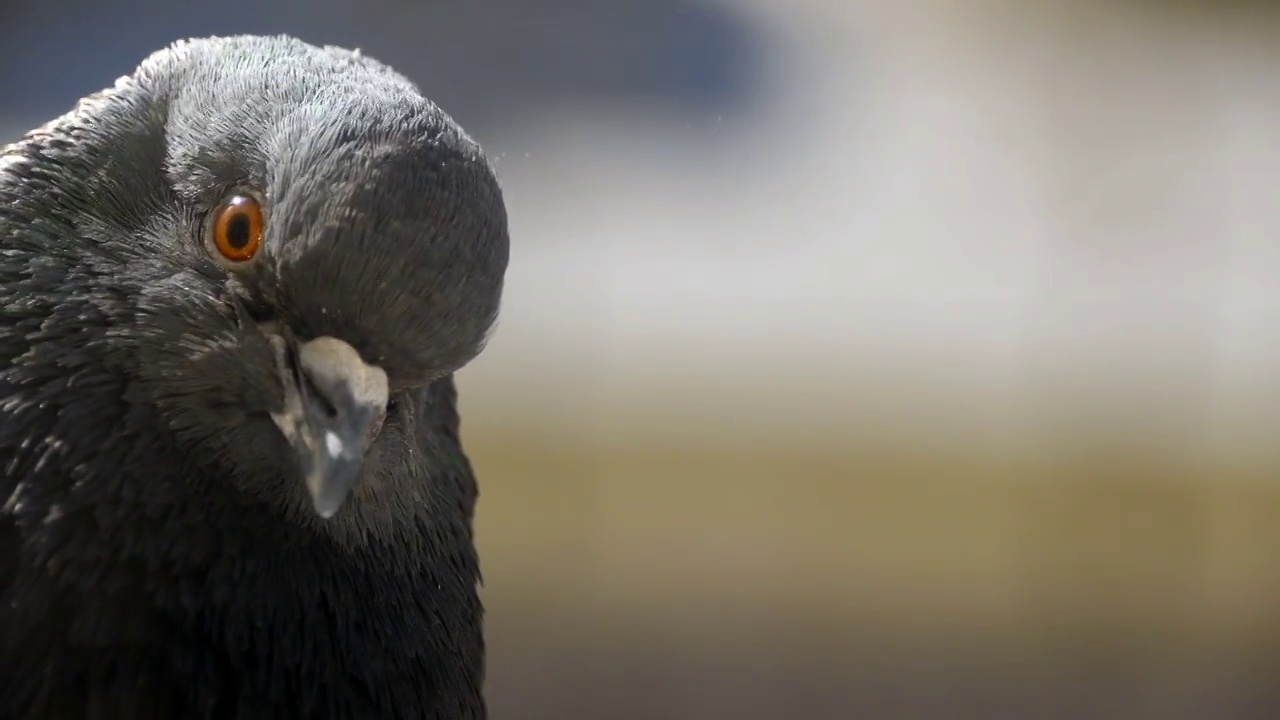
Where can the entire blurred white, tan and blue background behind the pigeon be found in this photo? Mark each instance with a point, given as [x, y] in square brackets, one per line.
[860, 359]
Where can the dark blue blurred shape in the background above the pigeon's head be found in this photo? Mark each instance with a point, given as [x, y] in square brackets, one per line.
[487, 63]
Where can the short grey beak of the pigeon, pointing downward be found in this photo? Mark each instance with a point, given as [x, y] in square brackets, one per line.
[335, 404]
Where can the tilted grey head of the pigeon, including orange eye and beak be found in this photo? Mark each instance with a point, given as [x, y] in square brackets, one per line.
[280, 248]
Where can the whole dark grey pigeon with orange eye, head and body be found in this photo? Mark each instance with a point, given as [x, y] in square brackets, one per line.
[235, 290]
